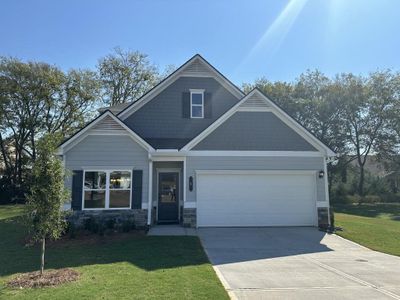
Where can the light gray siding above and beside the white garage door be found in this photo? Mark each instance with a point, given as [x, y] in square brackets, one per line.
[194, 163]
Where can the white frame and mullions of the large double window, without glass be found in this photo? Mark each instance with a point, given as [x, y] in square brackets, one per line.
[107, 189]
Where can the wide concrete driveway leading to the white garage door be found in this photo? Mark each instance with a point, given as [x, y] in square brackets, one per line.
[298, 263]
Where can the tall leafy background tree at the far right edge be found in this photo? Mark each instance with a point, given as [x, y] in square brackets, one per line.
[368, 111]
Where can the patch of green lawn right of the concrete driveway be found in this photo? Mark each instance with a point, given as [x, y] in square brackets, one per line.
[376, 226]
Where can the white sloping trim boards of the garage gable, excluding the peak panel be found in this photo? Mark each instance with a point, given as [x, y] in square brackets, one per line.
[283, 116]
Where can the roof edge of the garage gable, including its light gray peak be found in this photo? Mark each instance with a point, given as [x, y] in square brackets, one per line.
[253, 101]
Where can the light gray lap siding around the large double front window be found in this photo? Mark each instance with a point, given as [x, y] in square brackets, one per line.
[107, 151]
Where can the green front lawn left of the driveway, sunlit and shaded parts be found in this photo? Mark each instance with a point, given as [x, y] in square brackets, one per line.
[138, 267]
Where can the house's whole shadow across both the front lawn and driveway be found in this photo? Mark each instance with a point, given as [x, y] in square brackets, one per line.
[158, 252]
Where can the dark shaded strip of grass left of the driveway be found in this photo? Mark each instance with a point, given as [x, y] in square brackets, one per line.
[145, 252]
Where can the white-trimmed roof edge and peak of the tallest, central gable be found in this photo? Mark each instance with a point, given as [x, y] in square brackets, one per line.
[195, 66]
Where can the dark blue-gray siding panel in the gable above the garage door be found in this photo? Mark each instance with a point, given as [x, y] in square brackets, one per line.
[254, 131]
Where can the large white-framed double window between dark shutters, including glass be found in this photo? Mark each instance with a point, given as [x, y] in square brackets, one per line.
[107, 189]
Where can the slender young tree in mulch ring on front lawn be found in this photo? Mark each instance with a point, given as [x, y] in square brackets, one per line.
[47, 195]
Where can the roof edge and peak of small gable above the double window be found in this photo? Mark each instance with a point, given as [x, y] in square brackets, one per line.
[105, 123]
